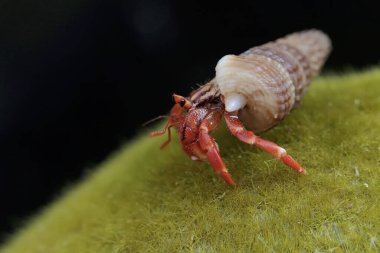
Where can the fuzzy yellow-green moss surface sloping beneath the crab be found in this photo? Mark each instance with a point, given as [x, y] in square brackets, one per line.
[146, 200]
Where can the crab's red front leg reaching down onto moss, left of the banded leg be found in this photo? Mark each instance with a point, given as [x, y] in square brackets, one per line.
[208, 144]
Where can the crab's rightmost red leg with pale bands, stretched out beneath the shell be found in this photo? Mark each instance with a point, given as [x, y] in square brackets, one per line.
[238, 130]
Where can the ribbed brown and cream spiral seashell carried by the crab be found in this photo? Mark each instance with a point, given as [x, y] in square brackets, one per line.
[266, 82]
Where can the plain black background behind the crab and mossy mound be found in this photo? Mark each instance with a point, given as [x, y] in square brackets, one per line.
[79, 77]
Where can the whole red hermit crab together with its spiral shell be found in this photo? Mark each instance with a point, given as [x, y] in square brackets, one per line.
[253, 92]
